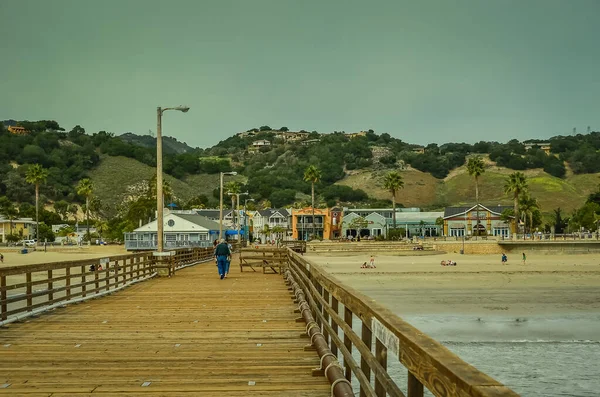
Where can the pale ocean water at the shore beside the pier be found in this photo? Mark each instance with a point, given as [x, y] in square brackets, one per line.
[549, 355]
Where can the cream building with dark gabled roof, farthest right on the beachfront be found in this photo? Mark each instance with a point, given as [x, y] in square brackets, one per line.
[476, 220]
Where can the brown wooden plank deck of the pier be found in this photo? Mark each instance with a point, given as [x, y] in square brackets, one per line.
[192, 334]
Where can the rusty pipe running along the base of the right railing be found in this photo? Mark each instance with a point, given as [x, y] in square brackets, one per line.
[340, 386]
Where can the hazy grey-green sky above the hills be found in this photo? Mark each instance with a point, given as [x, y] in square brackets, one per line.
[423, 71]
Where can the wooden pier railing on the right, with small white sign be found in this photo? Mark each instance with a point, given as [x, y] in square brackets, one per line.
[384, 341]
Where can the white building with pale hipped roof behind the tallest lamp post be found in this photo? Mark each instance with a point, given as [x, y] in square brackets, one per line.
[180, 230]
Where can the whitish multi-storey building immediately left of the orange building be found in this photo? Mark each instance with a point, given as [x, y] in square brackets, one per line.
[271, 224]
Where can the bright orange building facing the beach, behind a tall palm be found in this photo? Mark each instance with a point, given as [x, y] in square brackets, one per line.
[326, 225]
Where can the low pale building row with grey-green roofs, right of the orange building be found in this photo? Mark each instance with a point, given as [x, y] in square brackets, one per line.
[414, 222]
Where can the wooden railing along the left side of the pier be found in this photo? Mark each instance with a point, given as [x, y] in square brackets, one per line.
[28, 290]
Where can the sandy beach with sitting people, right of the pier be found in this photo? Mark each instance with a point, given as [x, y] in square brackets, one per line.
[479, 284]
